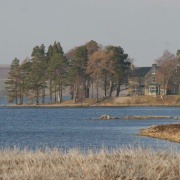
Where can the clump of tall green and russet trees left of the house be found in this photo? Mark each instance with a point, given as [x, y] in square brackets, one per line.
[48, 73]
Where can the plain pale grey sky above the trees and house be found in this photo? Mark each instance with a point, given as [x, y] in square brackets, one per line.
[143, 28]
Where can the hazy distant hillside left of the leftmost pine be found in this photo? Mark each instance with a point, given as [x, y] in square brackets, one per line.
[4, 69]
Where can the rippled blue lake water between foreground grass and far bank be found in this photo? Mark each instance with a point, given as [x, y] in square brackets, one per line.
[71, 127]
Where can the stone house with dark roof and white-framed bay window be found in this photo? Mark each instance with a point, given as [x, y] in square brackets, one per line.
[146, 81]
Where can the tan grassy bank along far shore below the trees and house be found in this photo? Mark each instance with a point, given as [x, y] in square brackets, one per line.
[173, 100]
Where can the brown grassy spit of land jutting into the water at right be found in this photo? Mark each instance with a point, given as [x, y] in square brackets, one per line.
[169, 132]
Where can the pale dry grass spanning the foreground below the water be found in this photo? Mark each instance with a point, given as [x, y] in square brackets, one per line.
[126, 163]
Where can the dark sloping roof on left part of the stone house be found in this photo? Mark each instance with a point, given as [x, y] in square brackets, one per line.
[139, 71]
